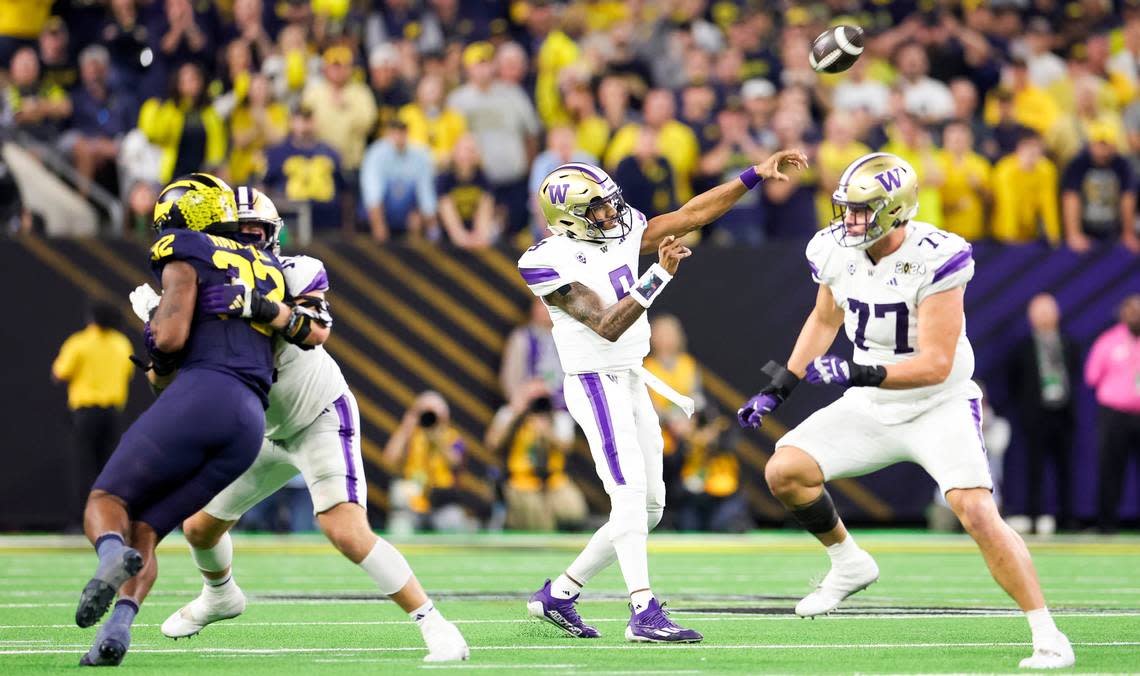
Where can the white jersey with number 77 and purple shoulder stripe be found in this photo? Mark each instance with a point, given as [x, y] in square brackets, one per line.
[882, 302]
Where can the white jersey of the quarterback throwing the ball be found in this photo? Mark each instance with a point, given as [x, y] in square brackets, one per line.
[609, 271]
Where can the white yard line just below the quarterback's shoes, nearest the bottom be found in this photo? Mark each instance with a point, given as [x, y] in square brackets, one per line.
[347, 651]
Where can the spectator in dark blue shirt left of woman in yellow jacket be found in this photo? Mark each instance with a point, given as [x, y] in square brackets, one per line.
[101, 117]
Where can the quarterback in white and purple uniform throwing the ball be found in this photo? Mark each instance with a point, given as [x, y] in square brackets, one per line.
[588, 275]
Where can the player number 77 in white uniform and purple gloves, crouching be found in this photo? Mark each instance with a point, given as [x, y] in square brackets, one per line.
[898, 287]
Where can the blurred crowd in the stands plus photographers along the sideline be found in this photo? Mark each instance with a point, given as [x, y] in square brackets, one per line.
[438, 119]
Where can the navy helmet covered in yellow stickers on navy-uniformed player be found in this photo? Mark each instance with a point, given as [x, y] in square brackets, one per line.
[197, 202]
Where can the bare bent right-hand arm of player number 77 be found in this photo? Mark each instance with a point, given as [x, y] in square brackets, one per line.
[940, 325]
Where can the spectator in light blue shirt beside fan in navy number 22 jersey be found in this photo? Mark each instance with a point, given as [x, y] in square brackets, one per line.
[398, 186]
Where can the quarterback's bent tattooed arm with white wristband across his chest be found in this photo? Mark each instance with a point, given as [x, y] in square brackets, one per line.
[585, 306]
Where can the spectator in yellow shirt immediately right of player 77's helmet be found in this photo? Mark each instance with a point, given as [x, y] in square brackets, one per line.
[966, 191]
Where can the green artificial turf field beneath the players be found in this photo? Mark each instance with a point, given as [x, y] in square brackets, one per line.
[934, 610]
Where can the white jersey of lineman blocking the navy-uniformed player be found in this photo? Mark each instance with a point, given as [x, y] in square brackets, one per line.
[308, 381]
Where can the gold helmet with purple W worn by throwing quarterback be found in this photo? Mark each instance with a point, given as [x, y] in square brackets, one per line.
[573, 198]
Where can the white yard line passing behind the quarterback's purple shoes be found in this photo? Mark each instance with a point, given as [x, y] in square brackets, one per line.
[704, 617]
